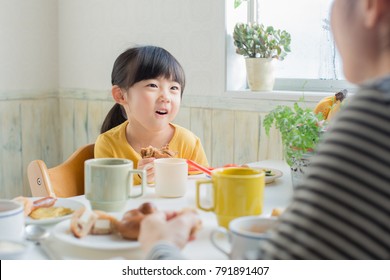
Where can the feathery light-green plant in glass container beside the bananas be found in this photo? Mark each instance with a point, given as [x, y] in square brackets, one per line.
[300, 129]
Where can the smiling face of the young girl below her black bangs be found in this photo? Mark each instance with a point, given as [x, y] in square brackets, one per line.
[153, 103]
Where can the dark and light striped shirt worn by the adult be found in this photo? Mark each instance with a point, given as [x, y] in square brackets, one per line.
[341, 210]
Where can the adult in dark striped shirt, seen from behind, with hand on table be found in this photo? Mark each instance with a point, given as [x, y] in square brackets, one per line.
[341, 210]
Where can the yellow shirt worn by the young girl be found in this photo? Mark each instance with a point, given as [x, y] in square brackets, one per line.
[113, 143]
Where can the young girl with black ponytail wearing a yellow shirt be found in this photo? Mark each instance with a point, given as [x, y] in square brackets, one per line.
[147, 86]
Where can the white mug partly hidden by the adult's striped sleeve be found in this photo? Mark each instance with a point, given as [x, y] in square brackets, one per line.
[245, 236]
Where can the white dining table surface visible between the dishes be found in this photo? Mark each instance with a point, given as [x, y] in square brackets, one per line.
[277, 194]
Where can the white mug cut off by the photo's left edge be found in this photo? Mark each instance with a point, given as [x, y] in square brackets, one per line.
[11, 220]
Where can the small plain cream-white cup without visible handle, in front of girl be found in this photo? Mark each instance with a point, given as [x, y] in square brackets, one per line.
[170, 176]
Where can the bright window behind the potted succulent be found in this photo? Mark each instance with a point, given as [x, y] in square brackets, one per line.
[313, 63]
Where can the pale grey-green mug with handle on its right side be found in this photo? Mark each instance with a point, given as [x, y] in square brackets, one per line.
[109, 183]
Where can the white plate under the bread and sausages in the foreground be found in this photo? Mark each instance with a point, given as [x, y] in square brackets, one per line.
[102, 242]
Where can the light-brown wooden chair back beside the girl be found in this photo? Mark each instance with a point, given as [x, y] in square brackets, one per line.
[64, 180]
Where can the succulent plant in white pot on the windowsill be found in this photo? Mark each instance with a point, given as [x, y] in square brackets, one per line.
[260, 45]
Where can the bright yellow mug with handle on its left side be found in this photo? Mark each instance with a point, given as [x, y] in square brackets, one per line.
[237, 192]
